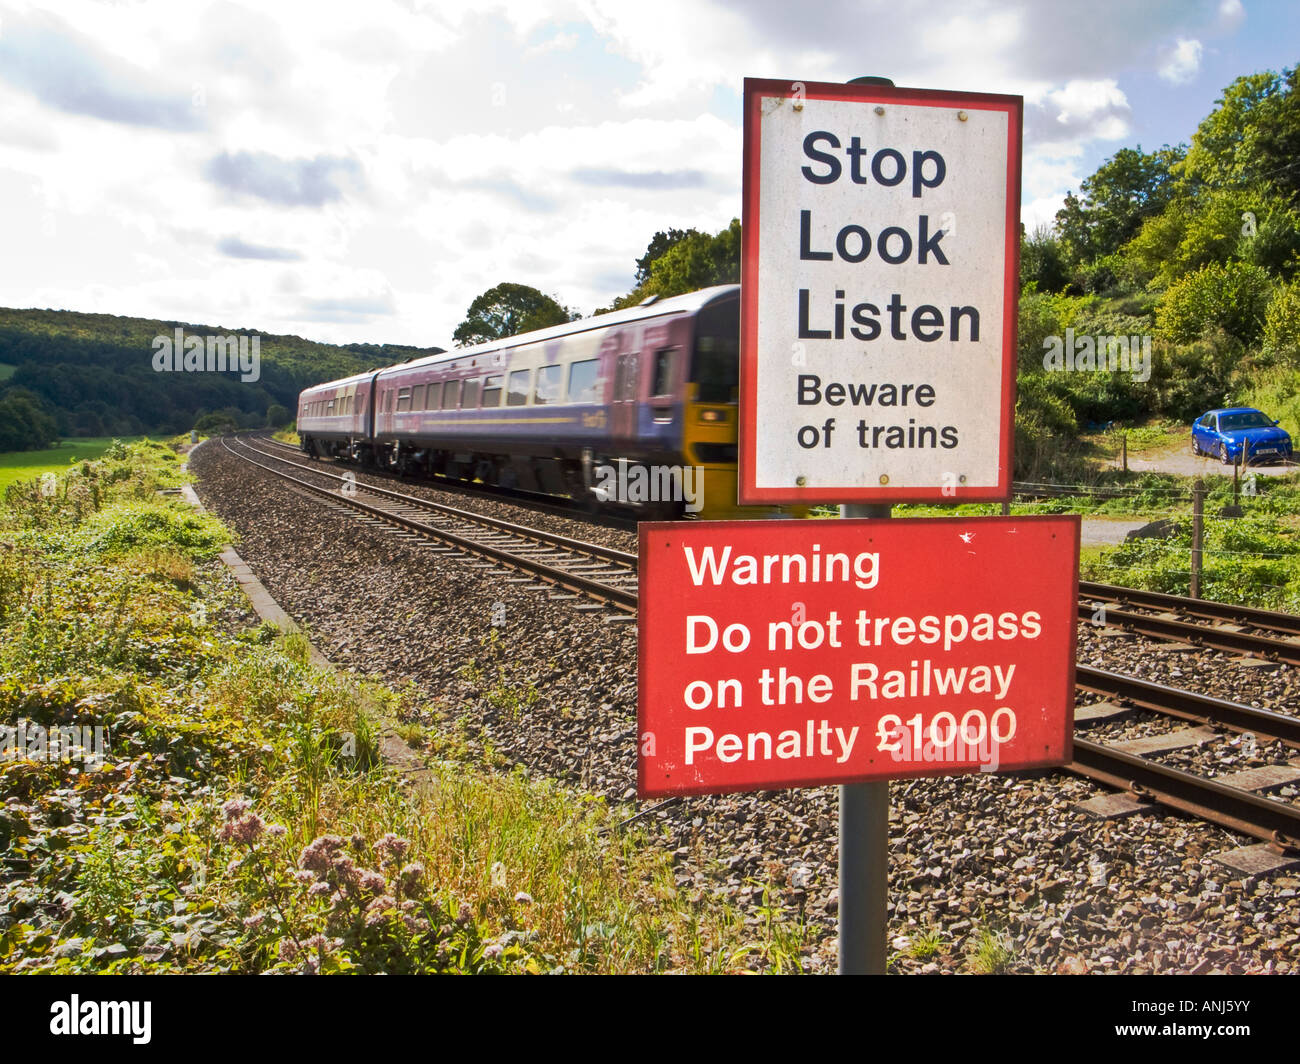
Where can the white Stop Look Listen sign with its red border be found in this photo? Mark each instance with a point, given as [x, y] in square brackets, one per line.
[879, 286]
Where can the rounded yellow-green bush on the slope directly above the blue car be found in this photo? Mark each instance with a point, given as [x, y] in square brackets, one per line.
[1227, 296]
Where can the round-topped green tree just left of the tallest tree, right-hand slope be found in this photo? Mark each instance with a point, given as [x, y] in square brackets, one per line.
[1126, 189]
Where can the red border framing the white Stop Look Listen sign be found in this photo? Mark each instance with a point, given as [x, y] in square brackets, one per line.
[756, 92]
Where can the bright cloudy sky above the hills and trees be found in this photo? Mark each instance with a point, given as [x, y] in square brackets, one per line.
[361, 172]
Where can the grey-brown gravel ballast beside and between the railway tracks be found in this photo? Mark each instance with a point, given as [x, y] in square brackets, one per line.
[972, 859]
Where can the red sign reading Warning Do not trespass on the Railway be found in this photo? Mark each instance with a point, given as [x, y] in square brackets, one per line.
[804, 654]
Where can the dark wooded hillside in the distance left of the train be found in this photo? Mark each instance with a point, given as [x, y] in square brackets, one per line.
[96, 374]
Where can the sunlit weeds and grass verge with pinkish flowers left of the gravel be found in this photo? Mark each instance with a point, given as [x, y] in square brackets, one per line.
[184, 793]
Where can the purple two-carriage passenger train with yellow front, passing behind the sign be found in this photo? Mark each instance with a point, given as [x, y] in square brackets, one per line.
[635, 410]
